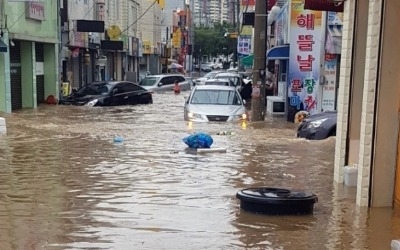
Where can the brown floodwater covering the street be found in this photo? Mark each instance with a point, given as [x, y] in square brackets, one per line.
[64, 184]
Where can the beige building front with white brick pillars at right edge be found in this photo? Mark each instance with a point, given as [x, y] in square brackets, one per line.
[368, 109]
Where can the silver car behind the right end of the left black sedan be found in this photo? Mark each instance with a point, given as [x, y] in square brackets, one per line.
[164, 82]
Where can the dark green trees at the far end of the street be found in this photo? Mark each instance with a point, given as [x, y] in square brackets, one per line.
[211, 40]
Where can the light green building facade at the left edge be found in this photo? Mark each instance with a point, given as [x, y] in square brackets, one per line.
[28, 66]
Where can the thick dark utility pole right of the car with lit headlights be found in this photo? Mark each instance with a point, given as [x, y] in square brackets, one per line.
[259, 69]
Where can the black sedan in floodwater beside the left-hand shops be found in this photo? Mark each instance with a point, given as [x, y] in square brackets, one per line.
[109, 93]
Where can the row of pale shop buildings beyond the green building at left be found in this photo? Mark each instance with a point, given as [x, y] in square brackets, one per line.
[130, 35]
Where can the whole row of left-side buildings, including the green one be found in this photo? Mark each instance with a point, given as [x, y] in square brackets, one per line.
[45, 43]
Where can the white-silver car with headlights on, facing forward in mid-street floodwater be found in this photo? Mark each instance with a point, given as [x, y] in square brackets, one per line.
[214, 103]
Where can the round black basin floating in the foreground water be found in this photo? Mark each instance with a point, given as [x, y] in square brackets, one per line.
[276, 201]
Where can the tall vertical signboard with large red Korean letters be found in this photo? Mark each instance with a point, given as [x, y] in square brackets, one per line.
[304, 59]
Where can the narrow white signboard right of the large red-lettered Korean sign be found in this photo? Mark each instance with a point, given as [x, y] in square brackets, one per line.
[329, 87]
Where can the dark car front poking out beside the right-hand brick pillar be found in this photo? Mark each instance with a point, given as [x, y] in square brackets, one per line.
[318, 126]
